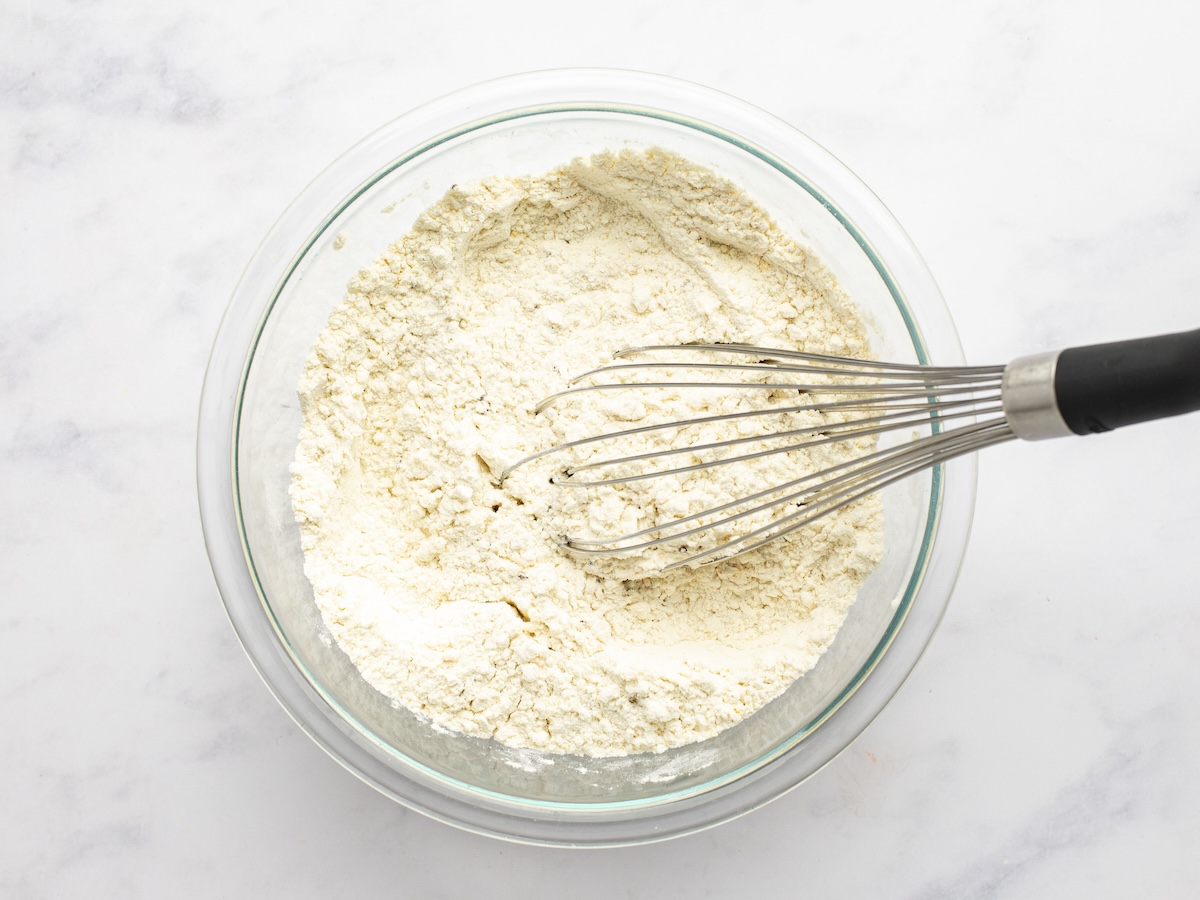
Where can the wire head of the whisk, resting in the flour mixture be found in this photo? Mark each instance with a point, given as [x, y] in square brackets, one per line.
[821, 430]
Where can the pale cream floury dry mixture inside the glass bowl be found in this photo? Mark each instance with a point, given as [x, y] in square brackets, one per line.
[449, 590]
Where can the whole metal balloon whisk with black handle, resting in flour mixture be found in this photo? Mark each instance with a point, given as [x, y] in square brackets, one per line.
[947, 411]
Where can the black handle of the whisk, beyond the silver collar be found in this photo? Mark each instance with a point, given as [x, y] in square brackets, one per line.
[1108, 386]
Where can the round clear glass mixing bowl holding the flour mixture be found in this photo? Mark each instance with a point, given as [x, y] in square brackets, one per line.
[250, 421]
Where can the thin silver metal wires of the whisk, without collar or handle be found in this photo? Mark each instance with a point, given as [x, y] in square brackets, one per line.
[959, 409]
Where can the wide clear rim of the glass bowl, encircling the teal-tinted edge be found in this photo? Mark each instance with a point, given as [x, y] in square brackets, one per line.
[319, 206]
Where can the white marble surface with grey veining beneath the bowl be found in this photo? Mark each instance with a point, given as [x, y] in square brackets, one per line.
[1045, 157]
